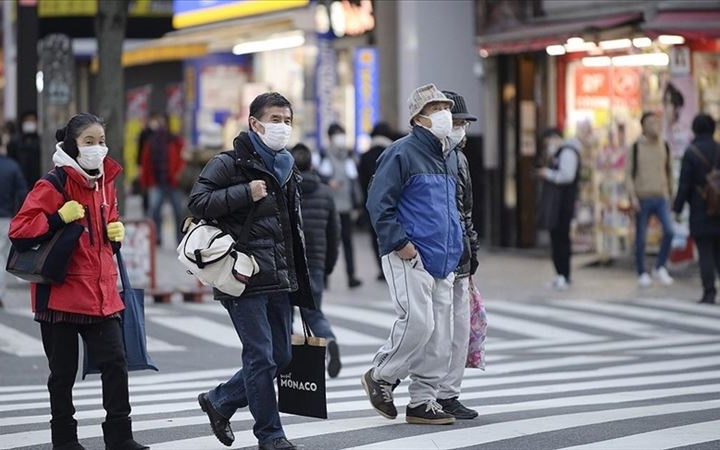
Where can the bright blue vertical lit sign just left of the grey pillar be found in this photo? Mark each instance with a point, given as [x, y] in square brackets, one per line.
[367, 95]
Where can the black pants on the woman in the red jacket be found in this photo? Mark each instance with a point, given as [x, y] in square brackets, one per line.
[105, 344]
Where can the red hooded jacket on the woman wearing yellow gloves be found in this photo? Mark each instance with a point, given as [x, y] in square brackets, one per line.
[90, 286]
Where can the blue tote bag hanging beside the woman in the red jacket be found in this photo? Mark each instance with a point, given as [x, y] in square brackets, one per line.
[133, 328]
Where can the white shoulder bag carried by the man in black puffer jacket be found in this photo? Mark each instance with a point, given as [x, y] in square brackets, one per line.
[212, 256]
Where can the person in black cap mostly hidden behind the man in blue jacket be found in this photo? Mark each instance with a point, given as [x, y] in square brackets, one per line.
[449, 389]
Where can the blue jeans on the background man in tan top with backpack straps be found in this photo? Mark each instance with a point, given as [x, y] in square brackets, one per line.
[660, 207]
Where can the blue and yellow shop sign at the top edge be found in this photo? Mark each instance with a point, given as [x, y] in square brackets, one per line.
[188, 13]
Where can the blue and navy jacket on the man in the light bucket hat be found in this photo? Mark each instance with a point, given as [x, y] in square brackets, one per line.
[412, 198]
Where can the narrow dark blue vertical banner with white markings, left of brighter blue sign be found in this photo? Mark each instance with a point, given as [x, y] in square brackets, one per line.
[325, 82]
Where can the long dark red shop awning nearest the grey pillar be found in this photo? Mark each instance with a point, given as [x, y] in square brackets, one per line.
[536, 36]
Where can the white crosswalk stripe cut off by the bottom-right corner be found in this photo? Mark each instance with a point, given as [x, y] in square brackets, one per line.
[686, 435]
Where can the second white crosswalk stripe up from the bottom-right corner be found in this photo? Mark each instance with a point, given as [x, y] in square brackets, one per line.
[484, 434]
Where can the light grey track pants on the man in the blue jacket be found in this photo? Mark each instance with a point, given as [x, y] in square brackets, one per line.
[420, 339]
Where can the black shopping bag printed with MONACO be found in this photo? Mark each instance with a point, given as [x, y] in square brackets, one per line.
[301, 386]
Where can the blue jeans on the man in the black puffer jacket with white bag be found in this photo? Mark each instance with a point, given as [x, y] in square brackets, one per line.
[263, 324]
